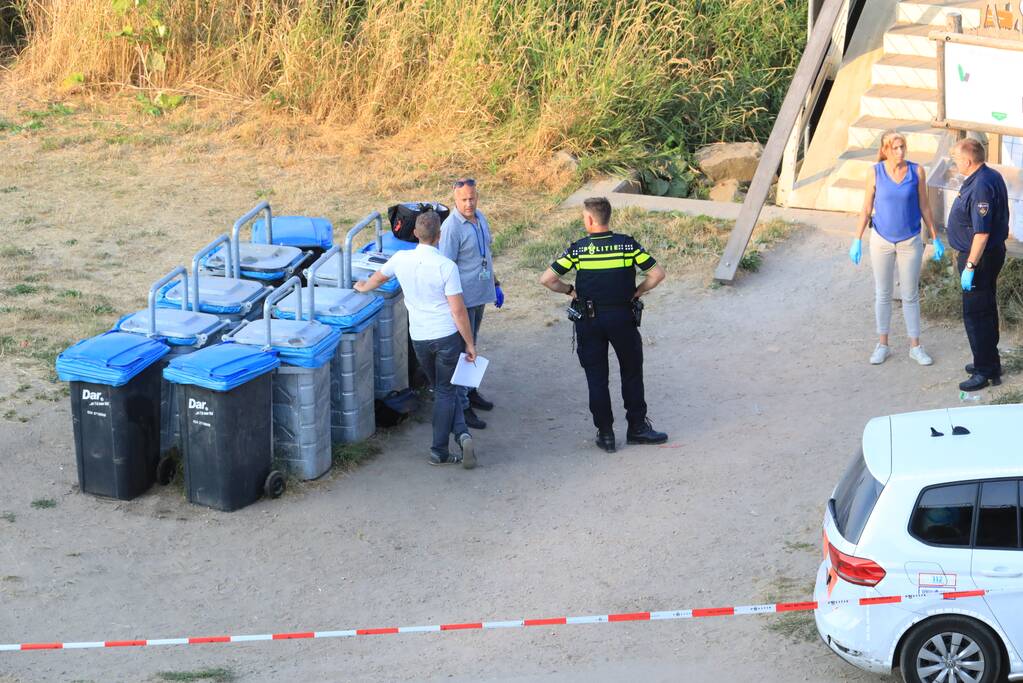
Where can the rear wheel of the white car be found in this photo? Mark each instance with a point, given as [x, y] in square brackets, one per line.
[951, 650]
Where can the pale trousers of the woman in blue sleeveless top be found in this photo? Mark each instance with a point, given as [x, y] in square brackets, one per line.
[908, 256]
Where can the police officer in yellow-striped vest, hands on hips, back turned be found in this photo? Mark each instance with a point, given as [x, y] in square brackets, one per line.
[607, 309]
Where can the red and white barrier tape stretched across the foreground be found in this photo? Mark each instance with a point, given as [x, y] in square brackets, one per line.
[739, 611]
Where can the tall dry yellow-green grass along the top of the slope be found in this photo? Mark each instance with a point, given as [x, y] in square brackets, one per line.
[610, 80]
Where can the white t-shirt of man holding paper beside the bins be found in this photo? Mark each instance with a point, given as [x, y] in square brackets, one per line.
[427, 279]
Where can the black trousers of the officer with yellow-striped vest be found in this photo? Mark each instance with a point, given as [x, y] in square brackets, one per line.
[614, 327]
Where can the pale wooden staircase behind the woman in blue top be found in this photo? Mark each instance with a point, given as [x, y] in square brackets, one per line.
[903, 97]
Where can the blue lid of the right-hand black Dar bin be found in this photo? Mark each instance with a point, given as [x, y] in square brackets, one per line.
[221, 368]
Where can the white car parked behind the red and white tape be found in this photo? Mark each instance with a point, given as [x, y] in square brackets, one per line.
[930, 506]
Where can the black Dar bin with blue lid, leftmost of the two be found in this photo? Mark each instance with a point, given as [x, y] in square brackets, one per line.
[115, 404]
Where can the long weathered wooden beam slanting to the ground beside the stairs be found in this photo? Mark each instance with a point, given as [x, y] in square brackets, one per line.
[792, 106]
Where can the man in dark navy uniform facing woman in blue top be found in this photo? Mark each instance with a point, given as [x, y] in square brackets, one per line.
[978, 226]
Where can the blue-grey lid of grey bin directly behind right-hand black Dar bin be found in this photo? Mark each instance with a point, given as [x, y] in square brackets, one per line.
[301, 343]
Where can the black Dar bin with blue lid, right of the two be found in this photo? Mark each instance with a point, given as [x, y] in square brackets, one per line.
[227, 413]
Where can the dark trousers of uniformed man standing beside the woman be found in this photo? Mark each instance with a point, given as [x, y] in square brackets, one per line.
[981, 311]
